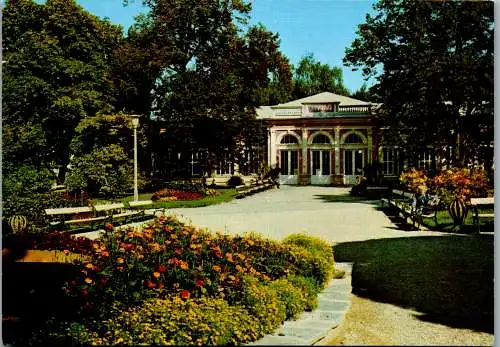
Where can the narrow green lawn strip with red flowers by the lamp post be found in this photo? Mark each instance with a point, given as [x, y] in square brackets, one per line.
[226, 195]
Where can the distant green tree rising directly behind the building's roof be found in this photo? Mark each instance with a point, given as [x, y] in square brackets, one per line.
[312, 77]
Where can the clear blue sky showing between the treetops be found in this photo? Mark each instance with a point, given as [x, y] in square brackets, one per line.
[322, 27]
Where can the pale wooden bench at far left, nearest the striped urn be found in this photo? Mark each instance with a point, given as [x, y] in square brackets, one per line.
[78, 215]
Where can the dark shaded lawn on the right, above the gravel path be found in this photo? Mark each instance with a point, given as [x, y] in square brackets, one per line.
[449, 279]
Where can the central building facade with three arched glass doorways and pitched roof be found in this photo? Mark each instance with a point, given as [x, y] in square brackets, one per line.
[324, 139]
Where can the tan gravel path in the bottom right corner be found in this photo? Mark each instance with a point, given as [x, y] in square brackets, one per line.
[374, 323]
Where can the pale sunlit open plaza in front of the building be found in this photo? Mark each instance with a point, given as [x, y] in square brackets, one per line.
[327, 212]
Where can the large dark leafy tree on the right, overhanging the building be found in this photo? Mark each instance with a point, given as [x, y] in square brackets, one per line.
[433, 61]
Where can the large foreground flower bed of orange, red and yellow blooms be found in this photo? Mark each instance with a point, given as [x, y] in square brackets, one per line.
[175, 284]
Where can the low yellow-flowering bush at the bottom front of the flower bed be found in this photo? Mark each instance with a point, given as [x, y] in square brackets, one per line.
[173, 321]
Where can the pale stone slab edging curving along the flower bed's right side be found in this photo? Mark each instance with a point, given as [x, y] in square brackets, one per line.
[311, 328]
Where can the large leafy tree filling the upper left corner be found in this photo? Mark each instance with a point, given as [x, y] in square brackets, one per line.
[56, 73]
